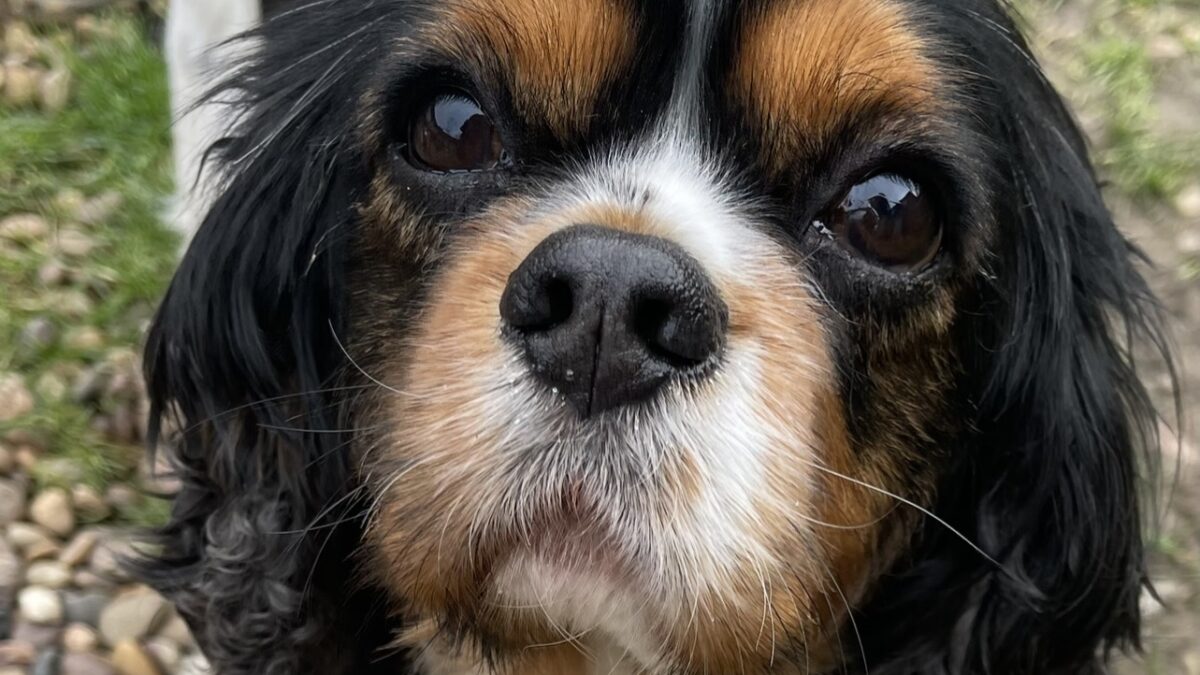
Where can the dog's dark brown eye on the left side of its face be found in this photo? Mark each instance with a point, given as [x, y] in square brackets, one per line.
[453, 134]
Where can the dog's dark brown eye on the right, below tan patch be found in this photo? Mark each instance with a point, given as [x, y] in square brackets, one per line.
[889, 220]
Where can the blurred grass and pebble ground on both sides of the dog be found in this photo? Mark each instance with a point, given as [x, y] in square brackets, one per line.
[86, 181]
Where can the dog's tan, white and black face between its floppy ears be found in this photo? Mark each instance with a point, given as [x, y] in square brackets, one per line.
[615, 268]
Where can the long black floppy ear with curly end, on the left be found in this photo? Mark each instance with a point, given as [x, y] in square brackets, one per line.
[243, 353]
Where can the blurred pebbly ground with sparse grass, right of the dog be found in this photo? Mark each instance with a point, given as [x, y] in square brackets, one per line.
[1132, 70]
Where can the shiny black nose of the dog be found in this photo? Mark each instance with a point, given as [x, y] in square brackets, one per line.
[608, 318]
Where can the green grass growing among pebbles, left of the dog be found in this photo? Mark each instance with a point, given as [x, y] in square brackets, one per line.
[112, 138]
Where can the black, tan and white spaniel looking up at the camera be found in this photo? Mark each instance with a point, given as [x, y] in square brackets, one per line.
[665, 337]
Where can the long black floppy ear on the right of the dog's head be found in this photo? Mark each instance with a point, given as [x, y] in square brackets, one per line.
[1048, 482]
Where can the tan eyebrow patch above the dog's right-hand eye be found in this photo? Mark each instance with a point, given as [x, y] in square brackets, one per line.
[807, 68]
